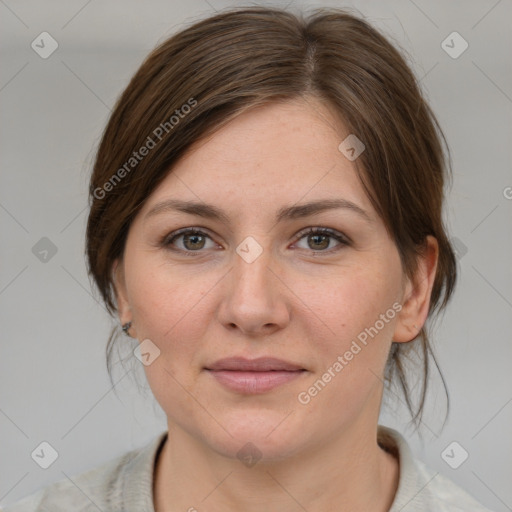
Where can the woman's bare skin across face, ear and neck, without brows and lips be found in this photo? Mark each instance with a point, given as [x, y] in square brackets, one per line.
[300, 300]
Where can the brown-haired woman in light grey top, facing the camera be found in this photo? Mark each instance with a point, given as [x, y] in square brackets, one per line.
[266, 223]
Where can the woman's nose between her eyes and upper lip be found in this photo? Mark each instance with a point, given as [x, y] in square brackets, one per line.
[254, 299]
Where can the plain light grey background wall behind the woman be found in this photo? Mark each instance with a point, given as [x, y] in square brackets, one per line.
[54, 386]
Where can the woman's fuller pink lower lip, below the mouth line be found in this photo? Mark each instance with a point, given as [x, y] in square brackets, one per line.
[254, 382]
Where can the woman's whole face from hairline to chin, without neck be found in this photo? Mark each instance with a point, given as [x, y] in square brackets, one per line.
[253, 283]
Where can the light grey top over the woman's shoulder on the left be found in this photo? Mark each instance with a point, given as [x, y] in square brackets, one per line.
[125, 480]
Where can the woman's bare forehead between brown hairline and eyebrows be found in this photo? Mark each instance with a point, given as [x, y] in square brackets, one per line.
[279, 153]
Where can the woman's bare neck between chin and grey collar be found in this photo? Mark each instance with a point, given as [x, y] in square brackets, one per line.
[349, 472]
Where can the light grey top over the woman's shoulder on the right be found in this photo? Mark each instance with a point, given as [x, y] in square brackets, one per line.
[420, 489]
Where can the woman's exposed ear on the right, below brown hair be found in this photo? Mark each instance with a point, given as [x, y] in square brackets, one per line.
[417, 292]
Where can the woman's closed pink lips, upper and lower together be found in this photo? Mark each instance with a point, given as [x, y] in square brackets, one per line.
[253, 376]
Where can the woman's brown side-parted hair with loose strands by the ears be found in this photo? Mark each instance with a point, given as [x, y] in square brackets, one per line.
[246, 57]
